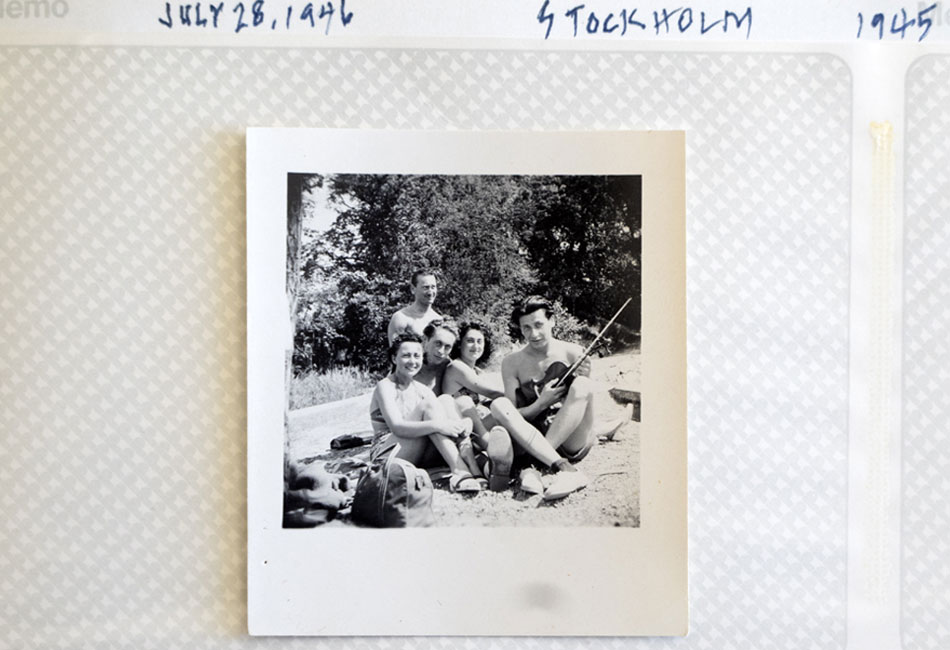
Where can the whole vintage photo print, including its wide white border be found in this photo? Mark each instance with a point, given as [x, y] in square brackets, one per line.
[460, 359]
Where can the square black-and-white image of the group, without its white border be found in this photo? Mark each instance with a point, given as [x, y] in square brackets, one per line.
[465, 350]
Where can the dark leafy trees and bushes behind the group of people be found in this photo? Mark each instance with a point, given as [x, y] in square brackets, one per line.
[491, 239]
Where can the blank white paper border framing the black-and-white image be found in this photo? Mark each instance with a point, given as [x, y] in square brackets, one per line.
[471, 581]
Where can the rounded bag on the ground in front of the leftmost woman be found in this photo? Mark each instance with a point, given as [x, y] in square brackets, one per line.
[393, 493]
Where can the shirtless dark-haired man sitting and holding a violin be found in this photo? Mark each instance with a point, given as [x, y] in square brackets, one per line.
[553, 425]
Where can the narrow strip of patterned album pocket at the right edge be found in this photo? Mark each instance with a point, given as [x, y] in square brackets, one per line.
[926, 425]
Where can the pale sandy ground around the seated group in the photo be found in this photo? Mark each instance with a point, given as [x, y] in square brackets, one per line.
[612, 497]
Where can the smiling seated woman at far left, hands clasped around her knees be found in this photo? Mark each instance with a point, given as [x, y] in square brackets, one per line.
[407, 416]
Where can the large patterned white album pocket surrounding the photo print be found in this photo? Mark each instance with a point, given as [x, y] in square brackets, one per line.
[122, 311]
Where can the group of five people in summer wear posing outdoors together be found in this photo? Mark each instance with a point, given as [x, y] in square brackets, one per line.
[437, 406]
